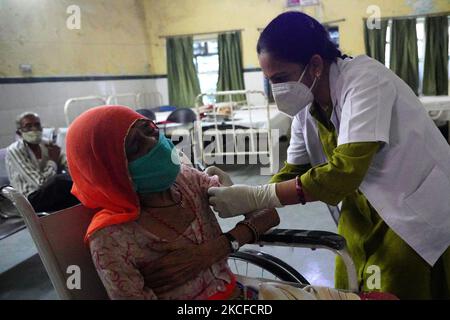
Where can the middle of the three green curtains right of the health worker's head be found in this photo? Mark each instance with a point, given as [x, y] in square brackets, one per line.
[404, 52]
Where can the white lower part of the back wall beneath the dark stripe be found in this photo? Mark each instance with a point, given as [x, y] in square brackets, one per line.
[48, 98]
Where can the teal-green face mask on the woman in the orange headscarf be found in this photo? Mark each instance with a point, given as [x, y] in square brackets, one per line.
[158, 169]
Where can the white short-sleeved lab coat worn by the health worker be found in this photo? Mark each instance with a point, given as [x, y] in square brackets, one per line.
[408, 182]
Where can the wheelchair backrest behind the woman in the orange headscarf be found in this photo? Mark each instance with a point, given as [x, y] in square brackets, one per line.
[59, 241]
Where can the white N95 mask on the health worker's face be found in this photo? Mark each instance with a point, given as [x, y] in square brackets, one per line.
[291, 97]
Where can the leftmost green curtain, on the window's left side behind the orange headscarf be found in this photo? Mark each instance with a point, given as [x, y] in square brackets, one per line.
[184, 85]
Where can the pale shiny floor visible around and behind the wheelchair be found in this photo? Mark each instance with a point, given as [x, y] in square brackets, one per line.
[22, 275]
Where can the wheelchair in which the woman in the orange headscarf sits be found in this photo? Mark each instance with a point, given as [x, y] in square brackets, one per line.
[59, 241]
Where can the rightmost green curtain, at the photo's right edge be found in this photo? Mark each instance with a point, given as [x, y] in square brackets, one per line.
[435, 77]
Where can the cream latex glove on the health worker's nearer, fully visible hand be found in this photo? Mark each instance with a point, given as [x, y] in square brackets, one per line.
[241, 199]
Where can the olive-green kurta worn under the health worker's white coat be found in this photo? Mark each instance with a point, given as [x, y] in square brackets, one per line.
[369, 240]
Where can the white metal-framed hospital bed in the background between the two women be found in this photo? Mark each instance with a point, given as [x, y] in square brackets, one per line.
[246, 128]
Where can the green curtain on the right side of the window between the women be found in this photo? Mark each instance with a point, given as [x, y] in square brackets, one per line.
[231, 75]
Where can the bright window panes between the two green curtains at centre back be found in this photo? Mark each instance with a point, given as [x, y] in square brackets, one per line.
[206, 60]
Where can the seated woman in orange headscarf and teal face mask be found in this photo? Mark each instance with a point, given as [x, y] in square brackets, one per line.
[155, 236]
